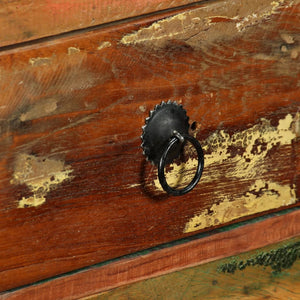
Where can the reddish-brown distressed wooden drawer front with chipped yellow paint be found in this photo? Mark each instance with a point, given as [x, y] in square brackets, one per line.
[75, 188]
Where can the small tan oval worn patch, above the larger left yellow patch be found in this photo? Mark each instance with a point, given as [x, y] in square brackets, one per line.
[39, 109]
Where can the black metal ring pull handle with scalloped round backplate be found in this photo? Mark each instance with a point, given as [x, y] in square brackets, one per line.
[165, 132]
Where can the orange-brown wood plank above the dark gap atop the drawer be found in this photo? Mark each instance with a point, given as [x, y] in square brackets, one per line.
[26, 20]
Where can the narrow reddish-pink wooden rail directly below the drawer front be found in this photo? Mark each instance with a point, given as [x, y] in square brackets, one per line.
[164, 261]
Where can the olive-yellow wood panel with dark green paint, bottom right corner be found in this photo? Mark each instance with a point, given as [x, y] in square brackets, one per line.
[269, 273]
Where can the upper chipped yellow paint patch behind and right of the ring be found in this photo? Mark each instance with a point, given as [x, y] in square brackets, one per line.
[245, 151]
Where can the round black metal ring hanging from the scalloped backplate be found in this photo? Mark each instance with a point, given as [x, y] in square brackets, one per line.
[162, 164]
